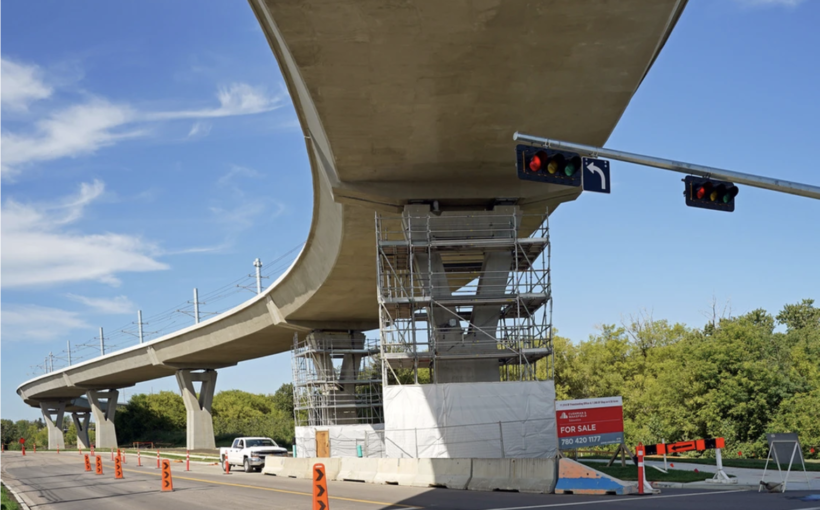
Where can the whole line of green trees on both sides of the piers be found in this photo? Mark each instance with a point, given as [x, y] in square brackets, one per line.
[735, 377]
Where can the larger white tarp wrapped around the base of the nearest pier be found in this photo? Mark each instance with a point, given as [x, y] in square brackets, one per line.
[471, 420]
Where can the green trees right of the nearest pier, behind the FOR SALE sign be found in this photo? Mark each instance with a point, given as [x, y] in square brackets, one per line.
[735, 377]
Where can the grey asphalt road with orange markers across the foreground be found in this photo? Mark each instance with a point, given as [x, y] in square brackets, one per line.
[48, 480]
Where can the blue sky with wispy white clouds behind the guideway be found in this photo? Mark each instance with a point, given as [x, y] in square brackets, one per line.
[150, 148]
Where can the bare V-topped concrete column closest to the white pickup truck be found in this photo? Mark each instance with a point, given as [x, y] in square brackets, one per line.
[200, 421]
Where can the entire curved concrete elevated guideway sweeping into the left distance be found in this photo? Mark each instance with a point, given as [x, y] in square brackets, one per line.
[400, 102]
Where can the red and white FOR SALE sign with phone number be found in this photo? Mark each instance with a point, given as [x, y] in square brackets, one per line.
[590, 422]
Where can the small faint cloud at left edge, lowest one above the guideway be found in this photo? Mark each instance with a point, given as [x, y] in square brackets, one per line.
[27, 323]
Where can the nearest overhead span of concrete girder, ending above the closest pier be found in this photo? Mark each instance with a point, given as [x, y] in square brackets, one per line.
[419, 99]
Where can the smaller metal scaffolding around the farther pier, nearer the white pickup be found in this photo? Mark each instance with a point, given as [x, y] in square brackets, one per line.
[336, 380]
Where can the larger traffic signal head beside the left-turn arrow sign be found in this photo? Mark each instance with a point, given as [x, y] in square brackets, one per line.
[547, 165]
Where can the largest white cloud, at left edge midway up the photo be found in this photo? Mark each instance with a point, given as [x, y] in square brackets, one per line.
[38, 249]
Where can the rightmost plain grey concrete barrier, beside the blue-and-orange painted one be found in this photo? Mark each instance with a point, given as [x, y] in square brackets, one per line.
[523, 475]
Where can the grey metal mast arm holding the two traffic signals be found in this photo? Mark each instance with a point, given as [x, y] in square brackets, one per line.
[757, 181]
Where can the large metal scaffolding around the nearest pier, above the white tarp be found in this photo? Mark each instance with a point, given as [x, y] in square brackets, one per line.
[464, 297]
